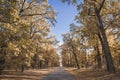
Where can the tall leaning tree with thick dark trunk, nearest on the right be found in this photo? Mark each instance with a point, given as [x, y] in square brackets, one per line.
[104, 16]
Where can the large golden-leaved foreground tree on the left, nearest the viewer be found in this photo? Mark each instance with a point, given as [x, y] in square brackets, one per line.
[20, 22]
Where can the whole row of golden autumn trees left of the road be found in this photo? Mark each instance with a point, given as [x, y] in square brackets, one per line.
[25, 40]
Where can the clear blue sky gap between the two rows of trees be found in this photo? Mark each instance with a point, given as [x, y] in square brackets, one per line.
[65, 16]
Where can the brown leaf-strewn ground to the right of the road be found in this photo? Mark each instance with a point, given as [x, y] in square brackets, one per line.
[96, 74]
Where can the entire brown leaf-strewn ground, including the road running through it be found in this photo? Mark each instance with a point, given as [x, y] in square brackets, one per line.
[60, 74]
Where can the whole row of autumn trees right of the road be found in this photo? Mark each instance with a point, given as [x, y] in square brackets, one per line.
[95, 40]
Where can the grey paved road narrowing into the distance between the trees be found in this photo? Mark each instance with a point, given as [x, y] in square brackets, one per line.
[59, 74]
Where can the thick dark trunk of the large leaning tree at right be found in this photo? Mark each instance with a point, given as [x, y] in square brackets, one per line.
[105, 45]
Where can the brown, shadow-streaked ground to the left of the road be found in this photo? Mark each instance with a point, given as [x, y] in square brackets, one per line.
[26, 75]
